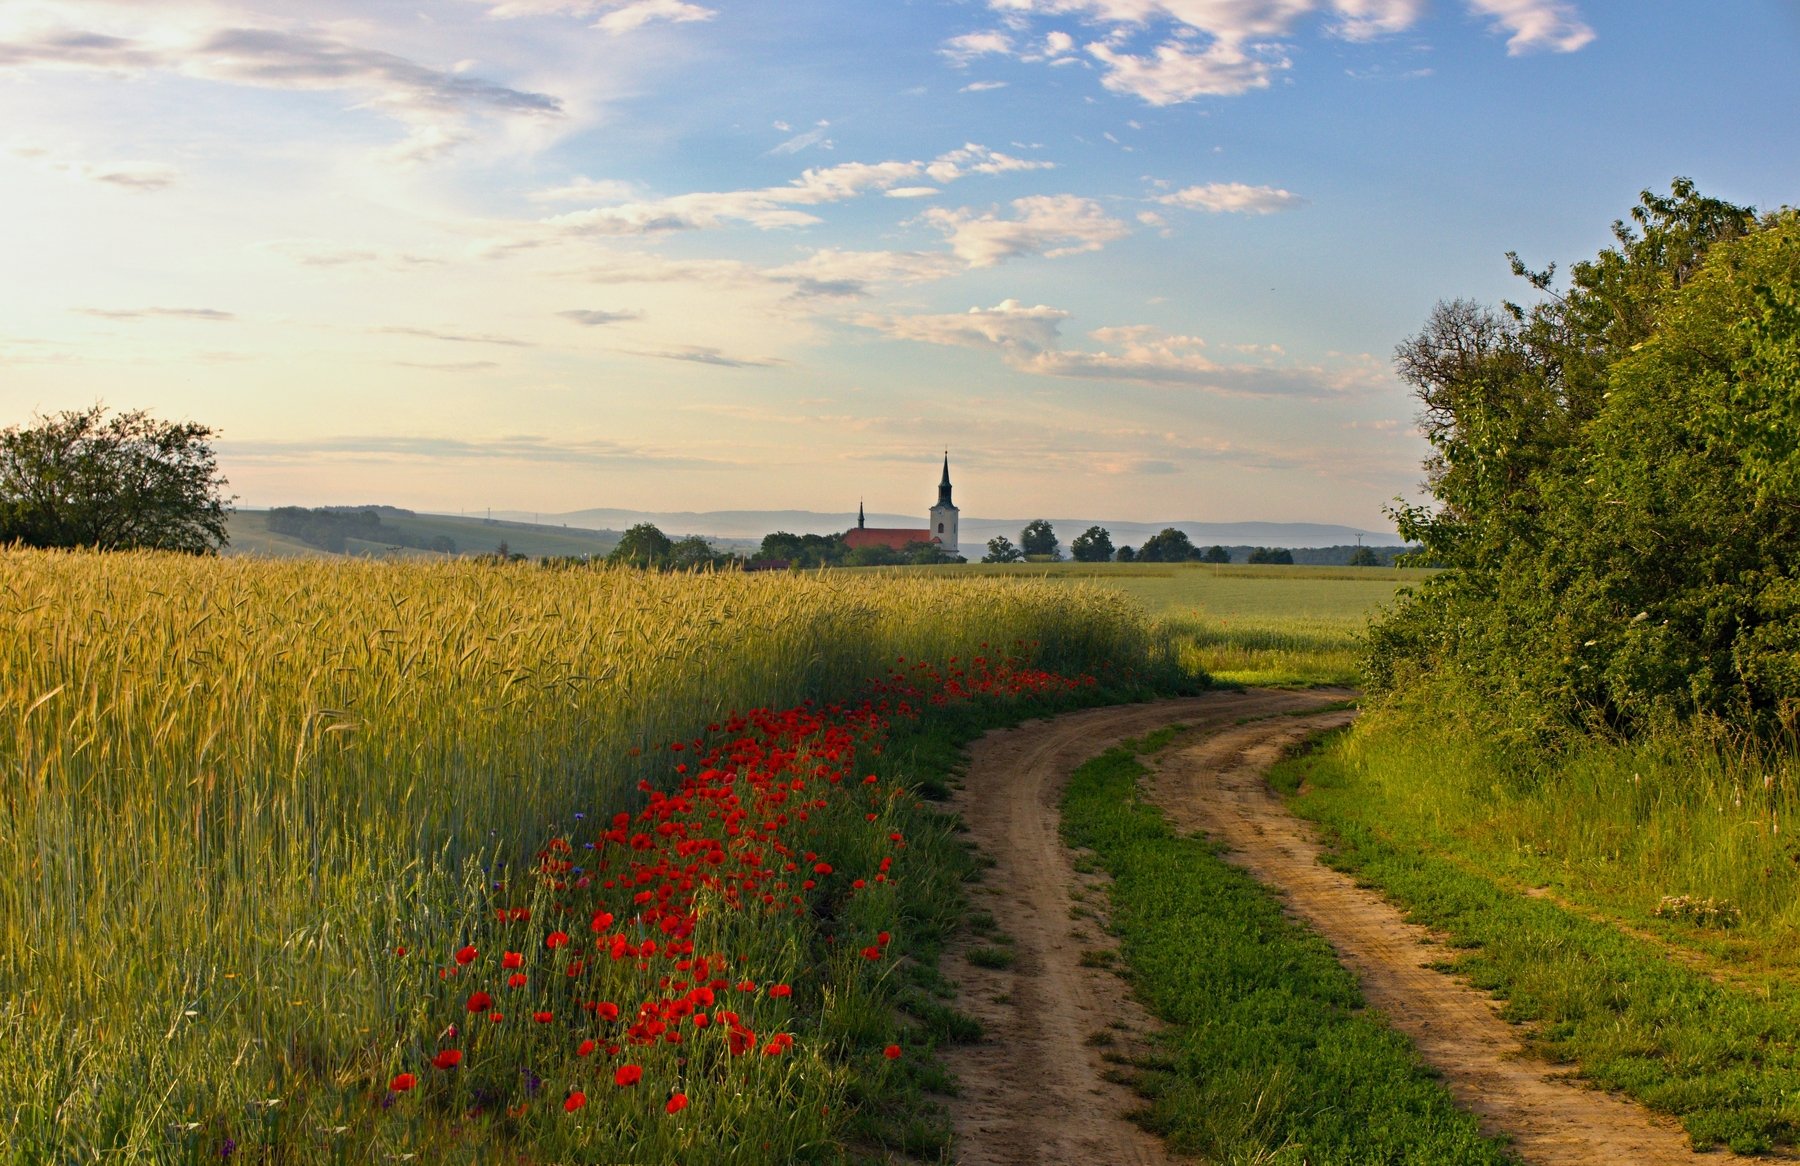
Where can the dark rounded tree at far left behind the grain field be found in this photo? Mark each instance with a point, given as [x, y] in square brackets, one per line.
[84, 480]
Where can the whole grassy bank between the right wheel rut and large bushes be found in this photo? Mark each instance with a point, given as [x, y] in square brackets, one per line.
[1696, 1021]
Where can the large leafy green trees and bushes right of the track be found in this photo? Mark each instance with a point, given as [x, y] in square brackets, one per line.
[1615, 480]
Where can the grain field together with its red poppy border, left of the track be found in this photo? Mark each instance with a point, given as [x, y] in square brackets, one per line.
[274, 830]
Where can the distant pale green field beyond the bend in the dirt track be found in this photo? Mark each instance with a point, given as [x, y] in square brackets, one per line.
[1245, 625]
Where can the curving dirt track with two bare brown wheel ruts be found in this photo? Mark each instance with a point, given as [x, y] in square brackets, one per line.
[1038, 1093]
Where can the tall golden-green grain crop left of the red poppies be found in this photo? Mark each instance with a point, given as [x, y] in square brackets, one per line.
[229, 787]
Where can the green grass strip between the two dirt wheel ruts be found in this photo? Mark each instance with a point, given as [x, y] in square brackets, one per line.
[1272, 1057]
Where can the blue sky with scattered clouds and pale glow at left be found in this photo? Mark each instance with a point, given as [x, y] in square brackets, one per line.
[1144, 260]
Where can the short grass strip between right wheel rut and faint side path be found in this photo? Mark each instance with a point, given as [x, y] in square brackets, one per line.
[1722, 1059]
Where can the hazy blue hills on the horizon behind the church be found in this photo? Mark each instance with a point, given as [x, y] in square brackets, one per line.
[976, 532]
